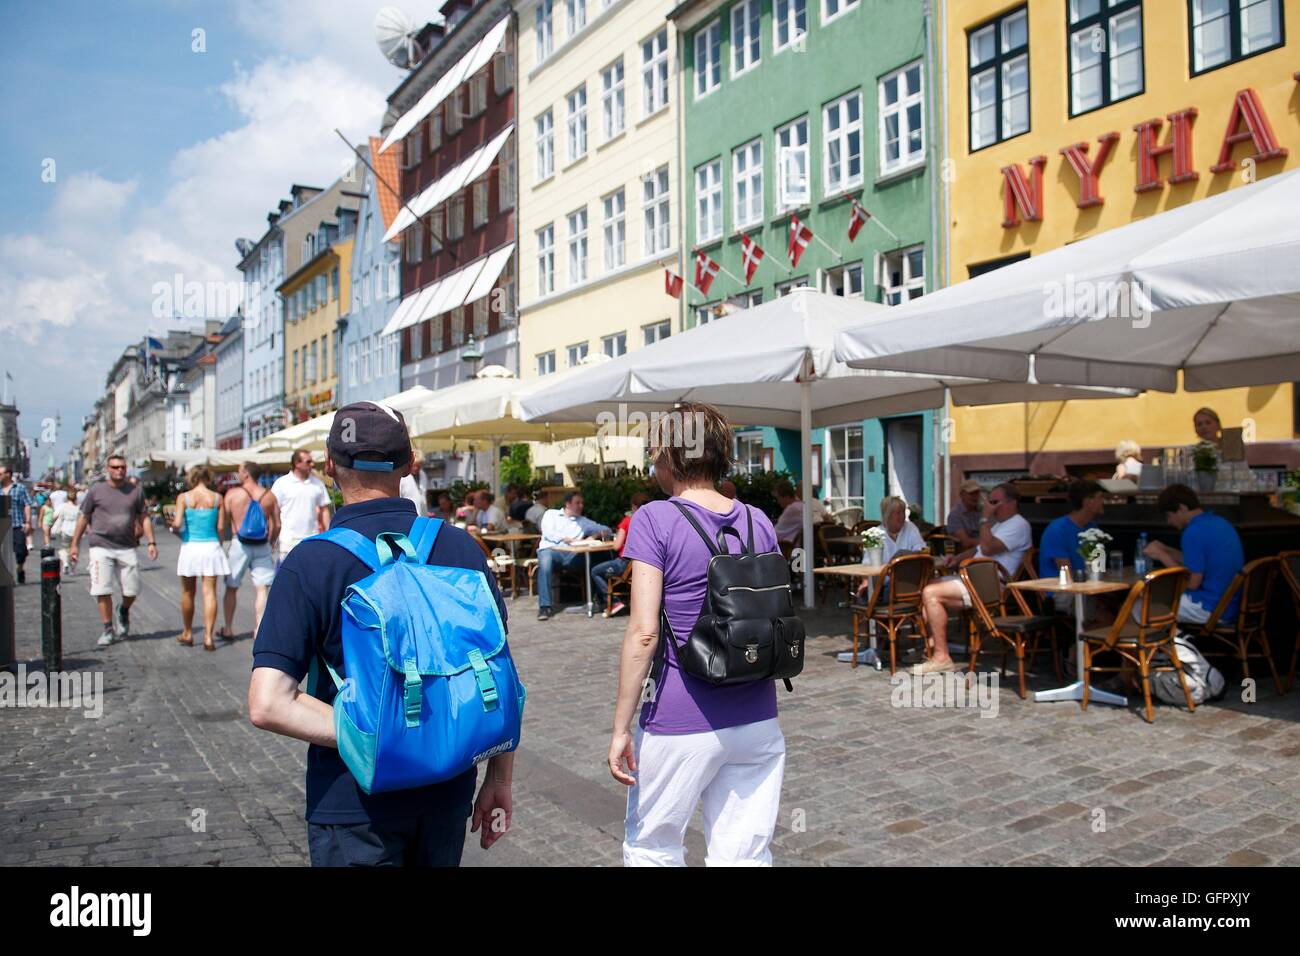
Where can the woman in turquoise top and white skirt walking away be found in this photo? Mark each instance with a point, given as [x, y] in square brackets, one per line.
[201, 522]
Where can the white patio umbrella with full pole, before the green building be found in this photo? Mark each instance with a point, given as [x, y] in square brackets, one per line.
[772, 365]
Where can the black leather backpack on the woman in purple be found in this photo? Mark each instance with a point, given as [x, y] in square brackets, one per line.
[747, 628]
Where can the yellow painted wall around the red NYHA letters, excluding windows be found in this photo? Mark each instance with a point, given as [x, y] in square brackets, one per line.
[976, 202]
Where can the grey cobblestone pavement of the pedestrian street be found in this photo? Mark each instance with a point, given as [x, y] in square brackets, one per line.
[866, 782]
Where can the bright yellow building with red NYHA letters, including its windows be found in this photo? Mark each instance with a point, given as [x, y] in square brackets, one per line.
[1069, 118]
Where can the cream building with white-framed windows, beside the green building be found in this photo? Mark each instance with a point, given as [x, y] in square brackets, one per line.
[599, 192]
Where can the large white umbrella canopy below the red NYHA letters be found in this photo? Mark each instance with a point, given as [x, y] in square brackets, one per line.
[1211, 289]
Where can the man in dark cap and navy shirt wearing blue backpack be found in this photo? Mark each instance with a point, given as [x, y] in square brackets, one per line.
[367, 456]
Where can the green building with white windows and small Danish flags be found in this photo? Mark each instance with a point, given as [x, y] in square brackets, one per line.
[798, 109]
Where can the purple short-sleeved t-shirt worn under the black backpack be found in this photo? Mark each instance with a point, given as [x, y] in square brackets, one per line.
[661, 537]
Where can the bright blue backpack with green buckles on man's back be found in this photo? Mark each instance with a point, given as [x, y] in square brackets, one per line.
[431, 686]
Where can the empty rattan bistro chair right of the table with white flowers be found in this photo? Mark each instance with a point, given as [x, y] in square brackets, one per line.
[1139, 637]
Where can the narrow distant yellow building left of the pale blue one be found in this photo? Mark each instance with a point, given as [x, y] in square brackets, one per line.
[314, 299]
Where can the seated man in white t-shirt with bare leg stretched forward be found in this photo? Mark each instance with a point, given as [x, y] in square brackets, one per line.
[1004, 537]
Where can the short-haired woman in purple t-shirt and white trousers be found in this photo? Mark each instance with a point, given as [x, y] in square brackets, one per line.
[696, 742]
